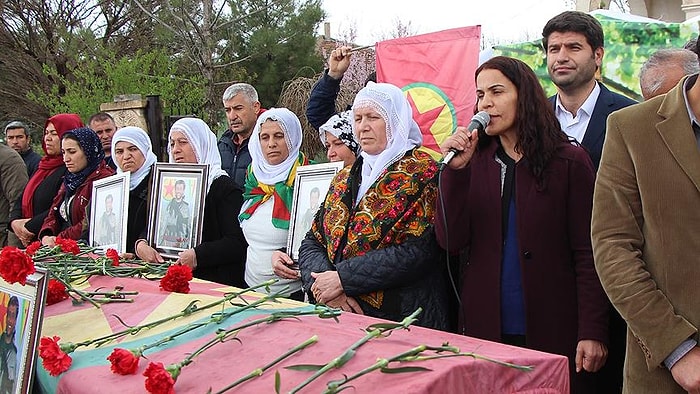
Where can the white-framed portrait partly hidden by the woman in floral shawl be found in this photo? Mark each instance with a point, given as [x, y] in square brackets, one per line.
[310, 187]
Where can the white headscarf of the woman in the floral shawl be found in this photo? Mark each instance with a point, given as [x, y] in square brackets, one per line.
[402, 132]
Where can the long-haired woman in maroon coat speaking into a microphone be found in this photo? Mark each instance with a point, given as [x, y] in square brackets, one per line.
[518, 200]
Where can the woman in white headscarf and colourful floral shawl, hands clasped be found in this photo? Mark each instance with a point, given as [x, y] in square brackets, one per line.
[371, 248]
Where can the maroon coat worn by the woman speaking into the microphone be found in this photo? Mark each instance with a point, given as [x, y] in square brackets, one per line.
[564, 300]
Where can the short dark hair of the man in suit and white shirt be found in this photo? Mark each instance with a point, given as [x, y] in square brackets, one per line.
[576, 22]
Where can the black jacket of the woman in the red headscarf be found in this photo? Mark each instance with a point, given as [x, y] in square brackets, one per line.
[42, 199]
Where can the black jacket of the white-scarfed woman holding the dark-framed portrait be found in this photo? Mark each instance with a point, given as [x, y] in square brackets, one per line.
[221, 254]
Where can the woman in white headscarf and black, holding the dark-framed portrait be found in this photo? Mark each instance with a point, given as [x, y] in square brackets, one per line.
[221, 254]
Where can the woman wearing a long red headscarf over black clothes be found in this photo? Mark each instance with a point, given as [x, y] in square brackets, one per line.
[32, 207]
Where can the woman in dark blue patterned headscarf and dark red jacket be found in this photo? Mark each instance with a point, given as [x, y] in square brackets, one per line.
[84, 159]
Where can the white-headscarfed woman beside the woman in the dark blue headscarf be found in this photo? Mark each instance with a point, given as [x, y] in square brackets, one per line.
[133, 153]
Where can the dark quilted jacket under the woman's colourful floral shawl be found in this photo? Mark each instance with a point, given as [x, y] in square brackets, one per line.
[411, 275]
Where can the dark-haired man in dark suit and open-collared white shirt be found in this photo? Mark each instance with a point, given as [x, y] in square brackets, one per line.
[573, 42]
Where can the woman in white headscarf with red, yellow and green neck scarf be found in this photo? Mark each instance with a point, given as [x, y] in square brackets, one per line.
[274, 149]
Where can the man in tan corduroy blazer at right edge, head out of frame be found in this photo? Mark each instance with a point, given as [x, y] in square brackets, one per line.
[646, 238]
